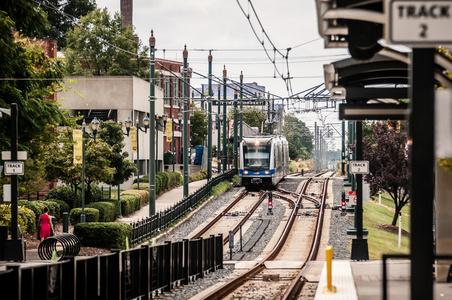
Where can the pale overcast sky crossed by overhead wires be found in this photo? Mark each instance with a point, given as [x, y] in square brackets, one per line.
[223, 27]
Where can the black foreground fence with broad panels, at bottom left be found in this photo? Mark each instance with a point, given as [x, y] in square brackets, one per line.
[140, 273]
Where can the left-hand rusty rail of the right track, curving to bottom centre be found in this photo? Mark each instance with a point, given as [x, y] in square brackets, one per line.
[224, 290]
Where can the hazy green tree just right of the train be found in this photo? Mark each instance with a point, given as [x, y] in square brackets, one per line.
[298, 136]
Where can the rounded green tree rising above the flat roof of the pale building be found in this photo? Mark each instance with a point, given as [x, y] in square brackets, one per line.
[101, 45]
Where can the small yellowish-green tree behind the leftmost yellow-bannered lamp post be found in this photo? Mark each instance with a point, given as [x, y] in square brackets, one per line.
[59, 158]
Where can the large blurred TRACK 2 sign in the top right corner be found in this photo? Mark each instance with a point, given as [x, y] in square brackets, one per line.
[419, 23]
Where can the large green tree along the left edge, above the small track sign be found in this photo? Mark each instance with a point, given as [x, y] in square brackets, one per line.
[34, 77]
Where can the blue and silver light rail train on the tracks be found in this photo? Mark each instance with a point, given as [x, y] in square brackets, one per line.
[264, 160]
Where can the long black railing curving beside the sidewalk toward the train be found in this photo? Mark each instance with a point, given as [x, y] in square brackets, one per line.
[143, 230]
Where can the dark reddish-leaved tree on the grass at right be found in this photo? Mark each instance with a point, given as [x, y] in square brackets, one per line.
[387, 153]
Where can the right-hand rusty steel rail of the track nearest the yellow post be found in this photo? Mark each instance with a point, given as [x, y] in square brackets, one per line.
[299, 281]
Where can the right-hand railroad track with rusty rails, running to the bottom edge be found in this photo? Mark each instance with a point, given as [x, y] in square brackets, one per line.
[252, 274]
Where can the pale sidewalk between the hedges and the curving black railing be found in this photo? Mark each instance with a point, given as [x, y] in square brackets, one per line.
[164, 201]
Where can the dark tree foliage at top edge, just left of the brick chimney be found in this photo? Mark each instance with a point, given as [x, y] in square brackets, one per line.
[62, 15]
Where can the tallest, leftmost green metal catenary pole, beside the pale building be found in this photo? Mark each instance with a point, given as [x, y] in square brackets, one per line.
[152, 122]
